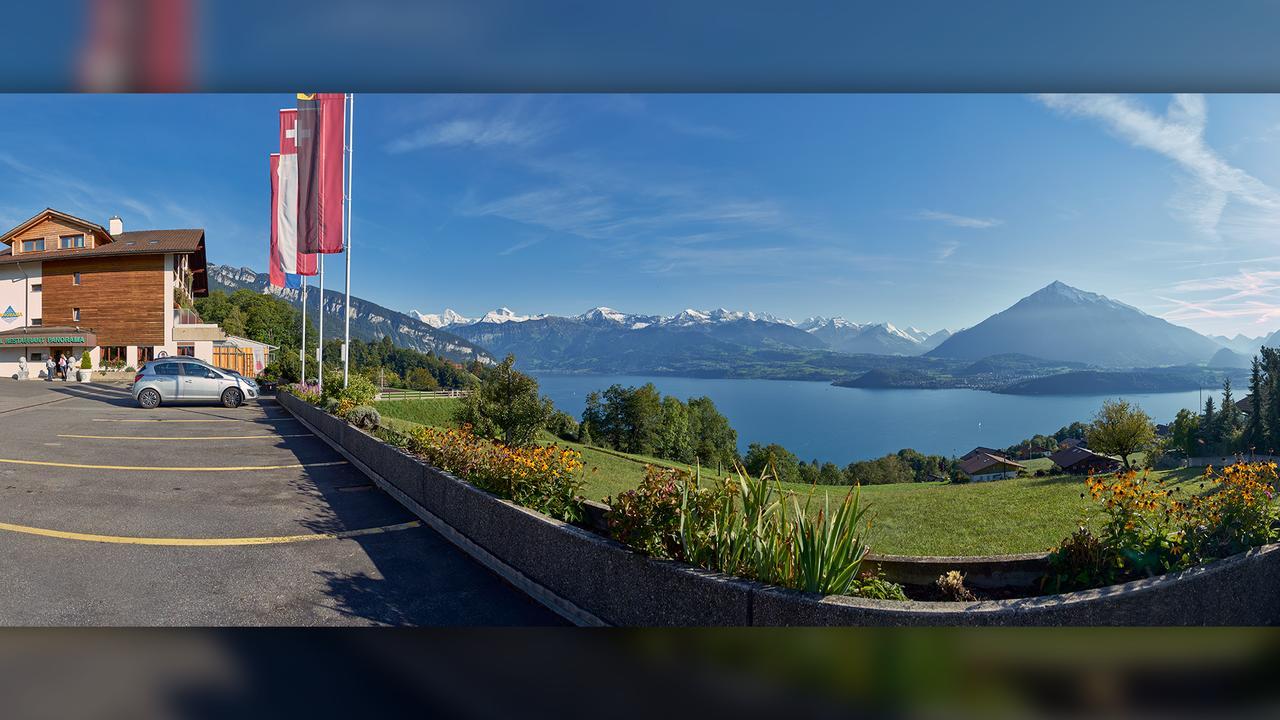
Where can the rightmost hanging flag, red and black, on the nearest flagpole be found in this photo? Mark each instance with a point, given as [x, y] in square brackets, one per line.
[321, 135]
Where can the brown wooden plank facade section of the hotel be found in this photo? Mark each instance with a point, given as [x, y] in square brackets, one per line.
[124, 299]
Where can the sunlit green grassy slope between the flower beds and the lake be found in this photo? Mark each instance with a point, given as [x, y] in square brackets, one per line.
[1016, 516]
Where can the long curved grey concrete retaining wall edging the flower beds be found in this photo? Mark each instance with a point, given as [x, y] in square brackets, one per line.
[596, 581]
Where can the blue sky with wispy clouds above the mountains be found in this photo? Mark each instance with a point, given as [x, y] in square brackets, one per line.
[929, 211]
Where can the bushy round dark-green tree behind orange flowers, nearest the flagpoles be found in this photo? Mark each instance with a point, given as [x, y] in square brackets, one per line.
[506, 407]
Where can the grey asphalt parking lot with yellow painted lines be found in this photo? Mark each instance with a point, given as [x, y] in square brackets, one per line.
[202, 516]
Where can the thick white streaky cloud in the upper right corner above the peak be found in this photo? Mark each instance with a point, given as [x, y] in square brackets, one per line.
[1210, 183]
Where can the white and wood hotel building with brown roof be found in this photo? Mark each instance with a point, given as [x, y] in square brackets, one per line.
[68, 285]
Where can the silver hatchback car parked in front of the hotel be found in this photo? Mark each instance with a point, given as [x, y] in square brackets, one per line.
[188, 380]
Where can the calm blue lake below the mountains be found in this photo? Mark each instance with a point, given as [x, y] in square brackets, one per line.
[842, 425]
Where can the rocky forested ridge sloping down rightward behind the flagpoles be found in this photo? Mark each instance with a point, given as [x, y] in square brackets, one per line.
[369, 321]
